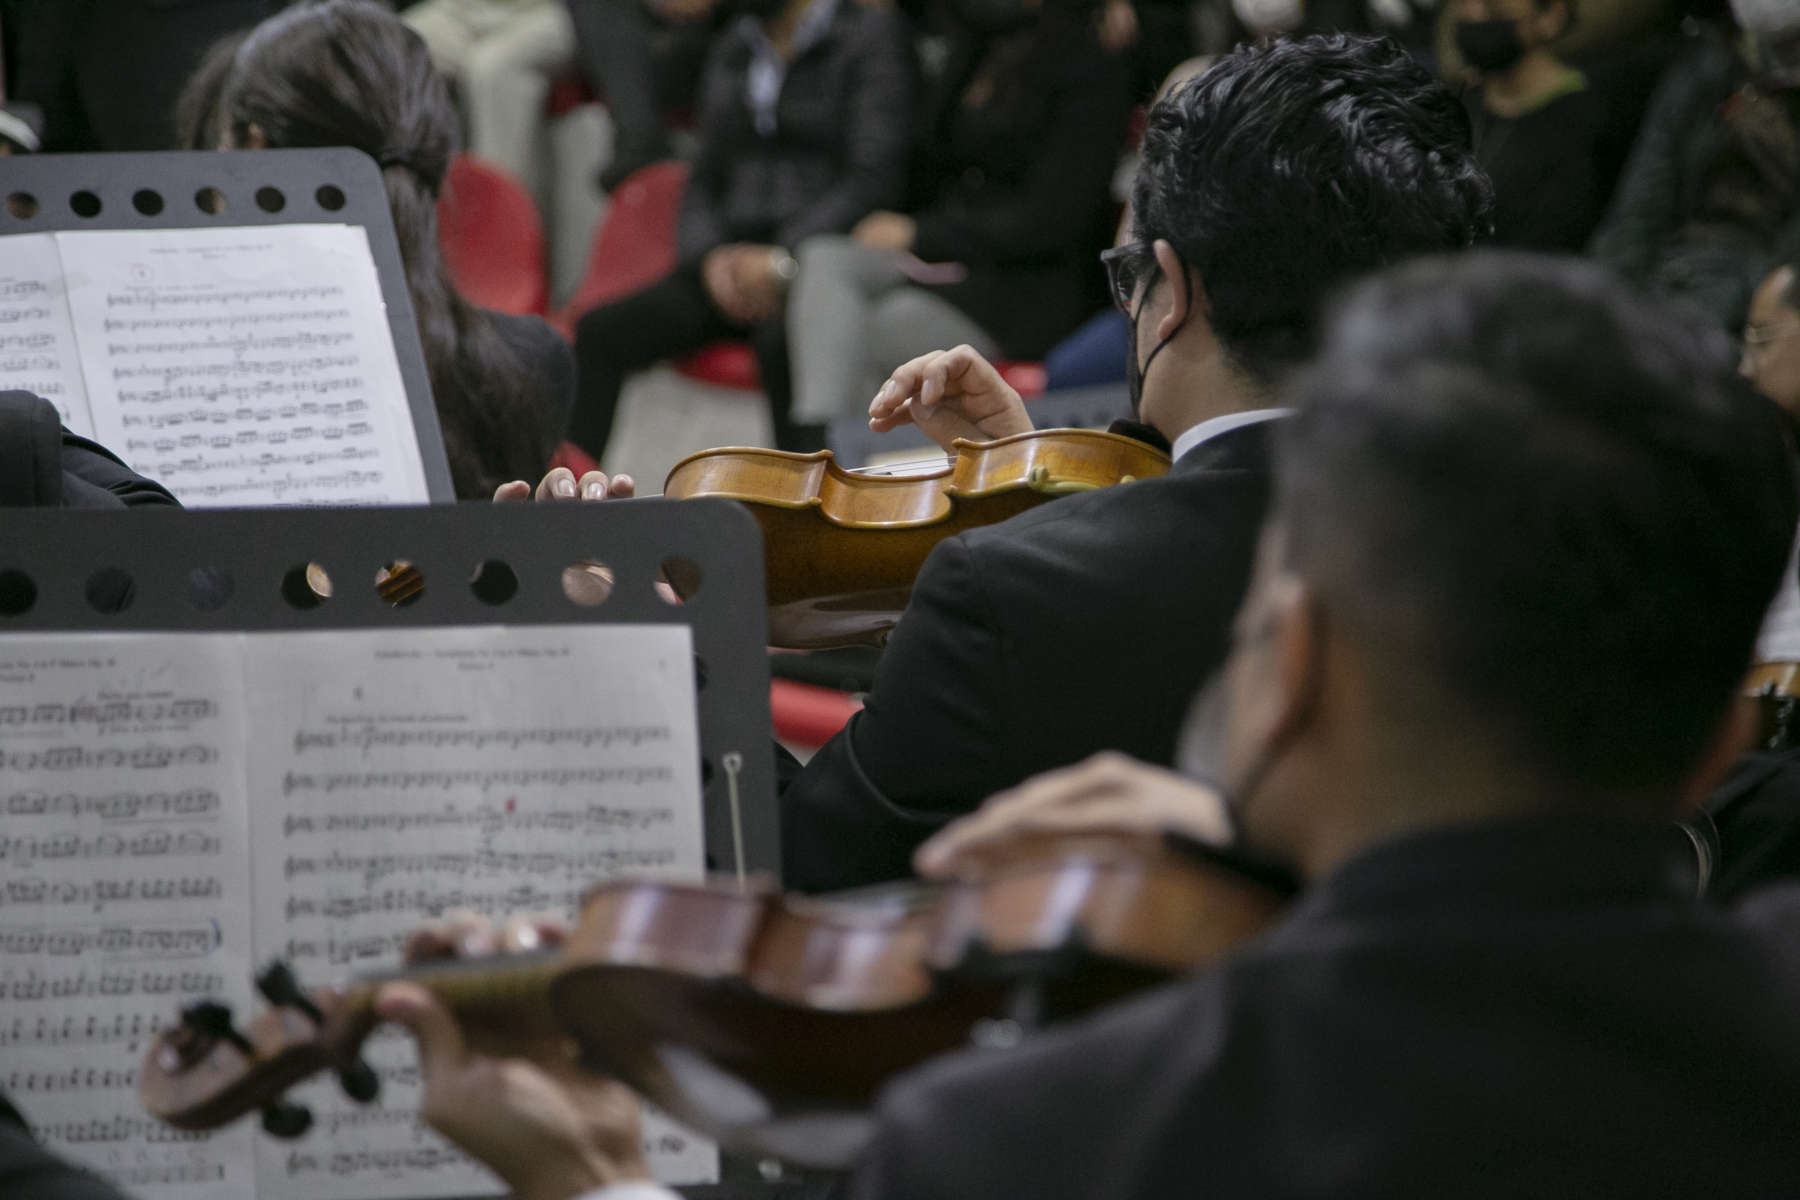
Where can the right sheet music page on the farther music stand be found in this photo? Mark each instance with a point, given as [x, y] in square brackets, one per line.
[244, 366]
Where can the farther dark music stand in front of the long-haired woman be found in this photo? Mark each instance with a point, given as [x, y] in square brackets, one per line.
[202, 190]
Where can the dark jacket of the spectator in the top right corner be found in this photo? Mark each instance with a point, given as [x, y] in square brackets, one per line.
[1650, 235]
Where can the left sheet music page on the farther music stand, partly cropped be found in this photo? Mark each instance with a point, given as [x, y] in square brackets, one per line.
[37, 337]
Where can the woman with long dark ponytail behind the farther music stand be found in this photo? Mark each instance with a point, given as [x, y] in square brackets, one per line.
[348, 73]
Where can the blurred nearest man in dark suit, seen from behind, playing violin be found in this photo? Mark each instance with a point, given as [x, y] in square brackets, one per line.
[1524, 533]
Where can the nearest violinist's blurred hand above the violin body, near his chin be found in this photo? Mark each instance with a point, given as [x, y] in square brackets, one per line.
[1106, 794]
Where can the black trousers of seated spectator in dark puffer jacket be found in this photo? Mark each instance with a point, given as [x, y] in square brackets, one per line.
[670, 318]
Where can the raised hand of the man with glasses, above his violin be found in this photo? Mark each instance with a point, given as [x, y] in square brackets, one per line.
[949, 395]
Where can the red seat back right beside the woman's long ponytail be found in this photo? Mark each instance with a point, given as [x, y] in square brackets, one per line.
[492, 238]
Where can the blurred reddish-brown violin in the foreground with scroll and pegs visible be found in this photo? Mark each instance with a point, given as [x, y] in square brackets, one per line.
[764, 1021]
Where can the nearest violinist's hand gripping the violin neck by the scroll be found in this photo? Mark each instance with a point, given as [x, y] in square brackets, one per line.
[548, 1134]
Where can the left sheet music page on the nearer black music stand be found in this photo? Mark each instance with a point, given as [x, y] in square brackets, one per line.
[125, 890]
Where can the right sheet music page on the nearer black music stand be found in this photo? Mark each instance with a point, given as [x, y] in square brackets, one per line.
[400, 775]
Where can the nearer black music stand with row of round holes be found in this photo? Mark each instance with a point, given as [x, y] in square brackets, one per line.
[481, 564]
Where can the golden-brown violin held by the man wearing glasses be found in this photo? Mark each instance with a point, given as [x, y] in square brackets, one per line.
[843, 548]
